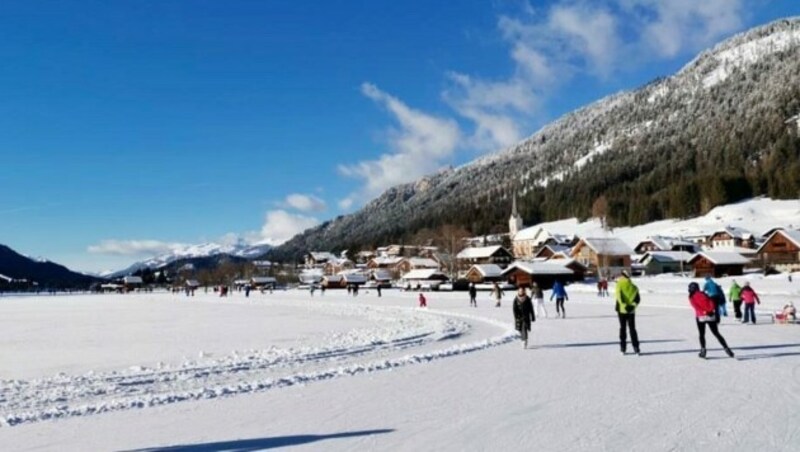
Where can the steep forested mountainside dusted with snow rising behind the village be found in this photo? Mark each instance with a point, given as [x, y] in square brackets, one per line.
[713, 133]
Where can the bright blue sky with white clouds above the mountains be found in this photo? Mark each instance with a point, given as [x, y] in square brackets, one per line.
[128, 128]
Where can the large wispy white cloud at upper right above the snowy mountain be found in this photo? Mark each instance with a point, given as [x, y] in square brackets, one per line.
[549, 46]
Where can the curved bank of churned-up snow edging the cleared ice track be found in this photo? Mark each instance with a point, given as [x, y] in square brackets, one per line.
[383, 347]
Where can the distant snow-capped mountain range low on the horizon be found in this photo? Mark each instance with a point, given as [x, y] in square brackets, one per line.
[240, 249]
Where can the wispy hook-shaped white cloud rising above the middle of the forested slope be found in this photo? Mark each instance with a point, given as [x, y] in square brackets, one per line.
[421, 145]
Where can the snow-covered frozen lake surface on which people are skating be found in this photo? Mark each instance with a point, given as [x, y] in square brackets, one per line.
[337, 373]
